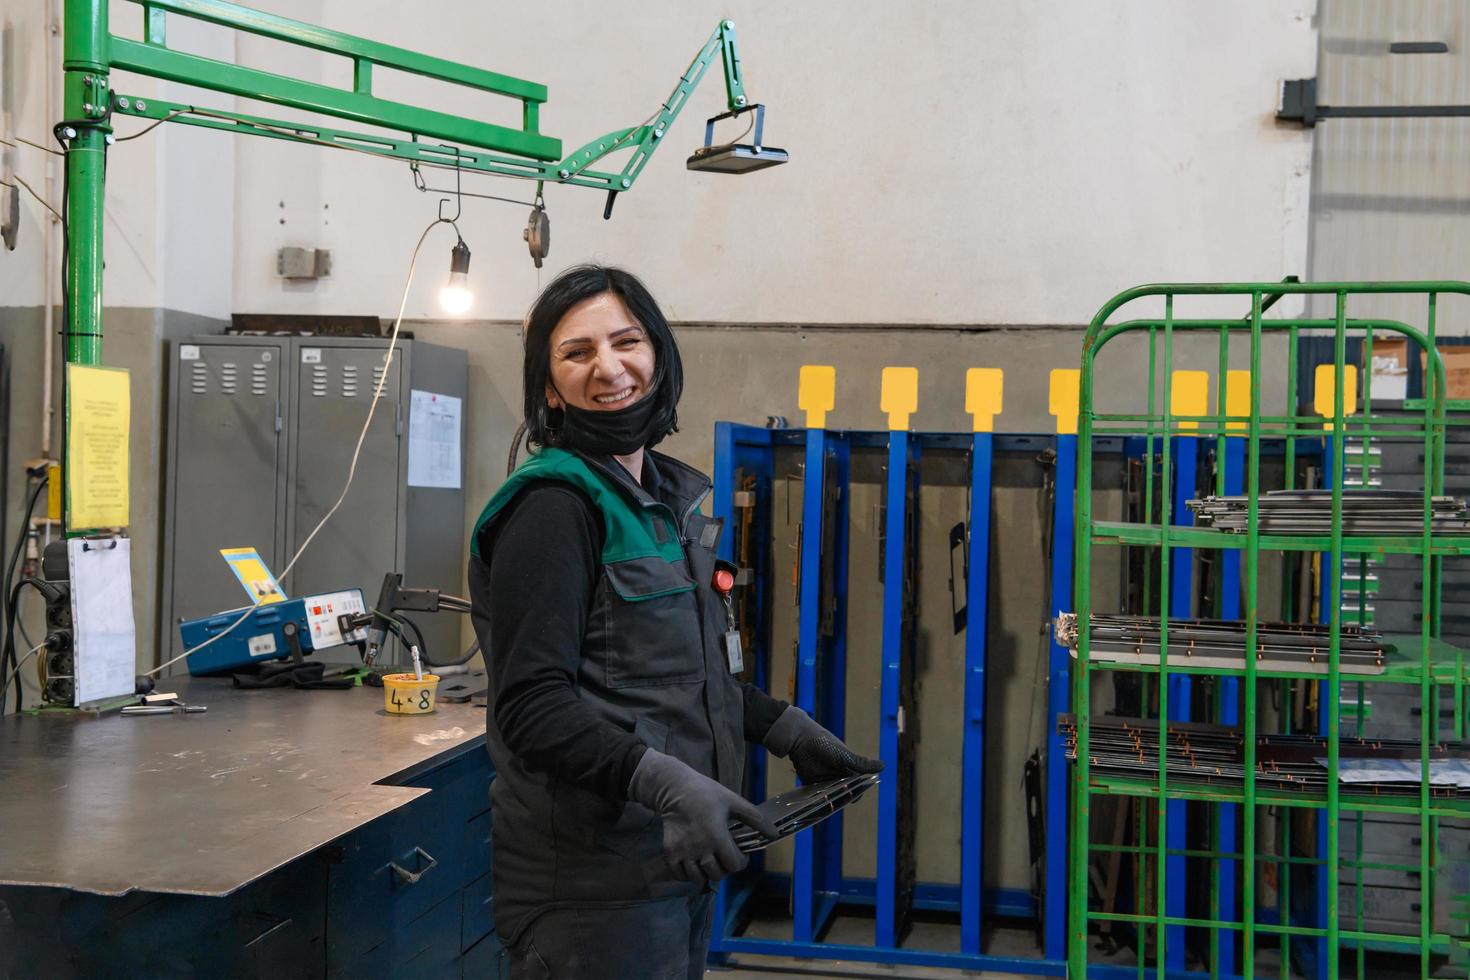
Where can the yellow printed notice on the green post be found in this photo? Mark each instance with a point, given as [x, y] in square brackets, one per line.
[98, 417]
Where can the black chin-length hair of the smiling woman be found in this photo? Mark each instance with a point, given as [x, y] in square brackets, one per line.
[542, 424]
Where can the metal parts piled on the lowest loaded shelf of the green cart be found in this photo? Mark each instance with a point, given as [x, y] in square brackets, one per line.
[1213, 756]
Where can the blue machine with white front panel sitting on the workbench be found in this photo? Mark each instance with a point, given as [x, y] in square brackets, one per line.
[264, 633]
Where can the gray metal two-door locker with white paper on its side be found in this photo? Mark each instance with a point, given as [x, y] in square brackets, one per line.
[383, 525]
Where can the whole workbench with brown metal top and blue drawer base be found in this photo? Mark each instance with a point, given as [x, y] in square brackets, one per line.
[274, 835]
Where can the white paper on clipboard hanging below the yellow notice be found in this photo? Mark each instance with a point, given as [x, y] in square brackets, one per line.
[102, 618]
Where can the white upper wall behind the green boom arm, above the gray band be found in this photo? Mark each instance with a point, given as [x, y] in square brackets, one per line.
[952, 162]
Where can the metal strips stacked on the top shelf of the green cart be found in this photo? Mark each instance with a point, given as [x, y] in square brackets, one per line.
[1365, 512]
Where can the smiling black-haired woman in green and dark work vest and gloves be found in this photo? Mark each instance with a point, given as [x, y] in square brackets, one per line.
[615, 722]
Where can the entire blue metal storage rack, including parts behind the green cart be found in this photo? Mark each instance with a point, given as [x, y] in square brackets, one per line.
[817, 888]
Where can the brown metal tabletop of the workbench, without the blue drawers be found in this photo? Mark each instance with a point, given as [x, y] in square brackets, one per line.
[205, 804]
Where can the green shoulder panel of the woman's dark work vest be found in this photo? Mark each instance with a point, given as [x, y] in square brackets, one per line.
[633, 531]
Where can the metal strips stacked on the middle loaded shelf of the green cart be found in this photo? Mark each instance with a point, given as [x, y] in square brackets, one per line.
[1221, 644]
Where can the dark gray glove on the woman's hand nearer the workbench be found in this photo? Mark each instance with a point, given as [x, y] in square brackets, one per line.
[696, 810]
